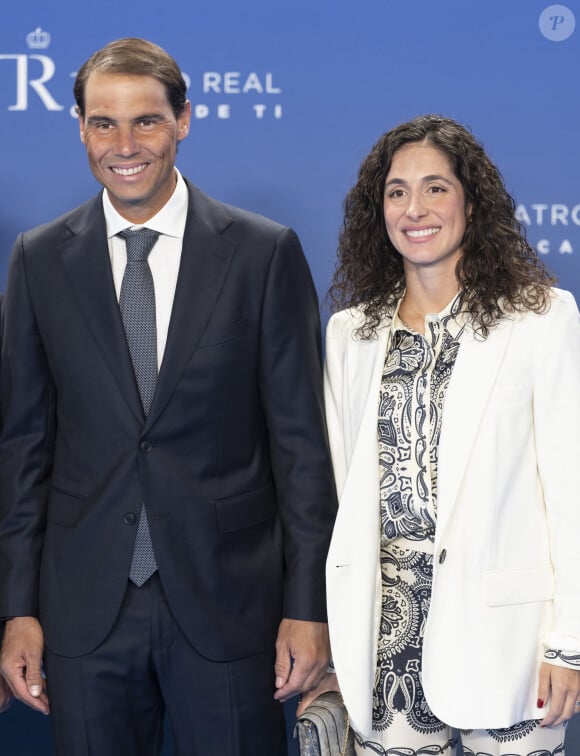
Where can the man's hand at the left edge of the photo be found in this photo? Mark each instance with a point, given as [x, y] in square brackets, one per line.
[21, 661]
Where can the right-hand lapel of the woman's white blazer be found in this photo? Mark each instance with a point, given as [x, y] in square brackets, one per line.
[472, 380]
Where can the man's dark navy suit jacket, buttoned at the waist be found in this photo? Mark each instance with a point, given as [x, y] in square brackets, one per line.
[232, 460]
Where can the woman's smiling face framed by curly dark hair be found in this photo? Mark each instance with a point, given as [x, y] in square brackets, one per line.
[425, 210]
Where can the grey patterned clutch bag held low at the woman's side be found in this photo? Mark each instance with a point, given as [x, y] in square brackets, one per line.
[323, 729]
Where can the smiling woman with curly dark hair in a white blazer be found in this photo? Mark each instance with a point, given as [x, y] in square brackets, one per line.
[453, 402]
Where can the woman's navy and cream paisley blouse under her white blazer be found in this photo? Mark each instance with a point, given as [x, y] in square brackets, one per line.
[415, 379]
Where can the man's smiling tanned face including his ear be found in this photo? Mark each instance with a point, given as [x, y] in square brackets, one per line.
[131, 134]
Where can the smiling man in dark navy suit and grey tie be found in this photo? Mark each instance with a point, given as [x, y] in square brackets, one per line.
[162, 541]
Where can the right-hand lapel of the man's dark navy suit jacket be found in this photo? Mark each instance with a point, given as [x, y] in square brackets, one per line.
[205, 260]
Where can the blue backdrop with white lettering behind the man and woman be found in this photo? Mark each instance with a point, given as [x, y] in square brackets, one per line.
[287, 98]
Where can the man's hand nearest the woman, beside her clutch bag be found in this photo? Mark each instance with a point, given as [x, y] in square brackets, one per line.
[302, 656]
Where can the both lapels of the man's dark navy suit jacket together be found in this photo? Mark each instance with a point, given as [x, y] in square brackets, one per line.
[205, 260]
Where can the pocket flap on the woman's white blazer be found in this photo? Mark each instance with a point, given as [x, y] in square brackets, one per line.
[504, 587]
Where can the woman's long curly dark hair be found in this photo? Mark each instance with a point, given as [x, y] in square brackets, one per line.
[498, 272]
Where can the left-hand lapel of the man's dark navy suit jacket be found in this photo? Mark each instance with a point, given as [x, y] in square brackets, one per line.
[85, 258]
